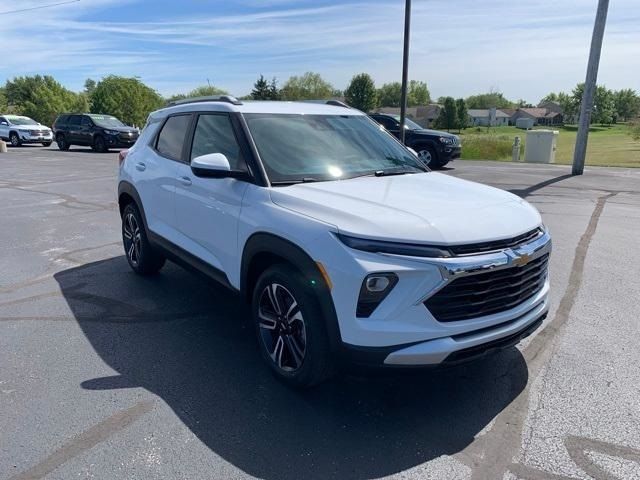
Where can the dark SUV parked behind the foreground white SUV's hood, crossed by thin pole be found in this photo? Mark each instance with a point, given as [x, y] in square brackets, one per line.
[434, 148]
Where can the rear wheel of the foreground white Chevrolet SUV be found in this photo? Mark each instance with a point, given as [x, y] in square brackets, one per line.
[142, 258]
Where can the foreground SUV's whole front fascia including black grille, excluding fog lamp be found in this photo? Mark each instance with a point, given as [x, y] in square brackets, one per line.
[473, 304]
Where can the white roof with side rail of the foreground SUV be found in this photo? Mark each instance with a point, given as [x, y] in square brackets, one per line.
[248, 106]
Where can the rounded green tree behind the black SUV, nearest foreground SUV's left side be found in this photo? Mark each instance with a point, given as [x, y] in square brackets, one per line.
[126, 98]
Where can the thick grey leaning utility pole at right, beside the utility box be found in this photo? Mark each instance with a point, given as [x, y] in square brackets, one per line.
[589, 88]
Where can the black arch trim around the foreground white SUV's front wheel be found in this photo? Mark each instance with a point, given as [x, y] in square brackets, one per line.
[267, 243]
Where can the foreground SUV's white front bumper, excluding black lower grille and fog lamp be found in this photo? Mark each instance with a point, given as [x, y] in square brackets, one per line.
[403, 332]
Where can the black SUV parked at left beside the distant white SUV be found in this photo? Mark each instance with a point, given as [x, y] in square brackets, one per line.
[100, 132]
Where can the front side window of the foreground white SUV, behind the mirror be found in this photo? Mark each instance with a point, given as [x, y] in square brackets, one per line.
[214, 134]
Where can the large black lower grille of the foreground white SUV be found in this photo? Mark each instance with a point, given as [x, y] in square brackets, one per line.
[488, 293]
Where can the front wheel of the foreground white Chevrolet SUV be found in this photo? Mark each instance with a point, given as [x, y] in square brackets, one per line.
[294, 342]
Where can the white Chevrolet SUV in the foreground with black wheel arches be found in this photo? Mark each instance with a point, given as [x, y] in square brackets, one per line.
[347, 247]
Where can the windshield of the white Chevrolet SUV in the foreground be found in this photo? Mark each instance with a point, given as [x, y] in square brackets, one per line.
[296, 148]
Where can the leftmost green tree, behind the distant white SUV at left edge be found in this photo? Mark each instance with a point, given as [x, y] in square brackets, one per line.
[42, 98]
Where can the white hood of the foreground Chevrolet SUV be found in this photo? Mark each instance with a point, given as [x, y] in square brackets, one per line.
[419, 208]
